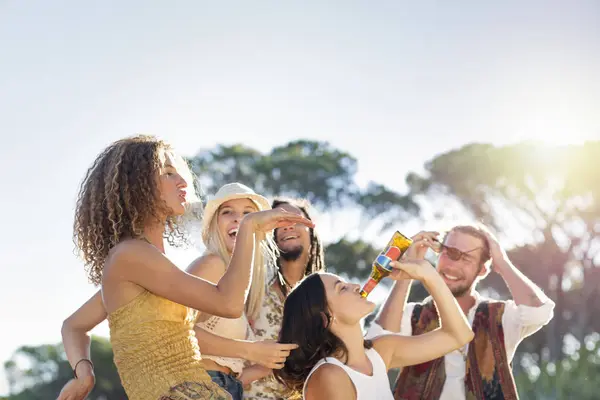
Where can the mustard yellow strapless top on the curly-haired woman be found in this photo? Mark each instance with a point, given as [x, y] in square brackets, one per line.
[156, 351]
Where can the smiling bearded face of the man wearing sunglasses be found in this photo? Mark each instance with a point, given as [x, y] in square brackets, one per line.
[461, 271]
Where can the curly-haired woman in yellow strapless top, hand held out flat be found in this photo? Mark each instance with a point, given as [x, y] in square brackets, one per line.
[130, 199]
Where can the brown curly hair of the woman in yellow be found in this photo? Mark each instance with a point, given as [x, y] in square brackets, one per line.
[118, 197]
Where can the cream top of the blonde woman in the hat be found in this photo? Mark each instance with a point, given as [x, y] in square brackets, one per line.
[230, 328]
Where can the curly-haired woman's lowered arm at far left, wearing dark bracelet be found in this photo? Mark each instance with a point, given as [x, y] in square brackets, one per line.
[76, 341]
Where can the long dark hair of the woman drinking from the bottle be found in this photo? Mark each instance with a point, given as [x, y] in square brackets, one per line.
[306, 320]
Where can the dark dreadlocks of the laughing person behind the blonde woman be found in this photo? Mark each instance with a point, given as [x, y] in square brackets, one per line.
[316, 258]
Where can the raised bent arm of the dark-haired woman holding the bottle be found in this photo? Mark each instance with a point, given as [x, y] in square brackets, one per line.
[454, 332]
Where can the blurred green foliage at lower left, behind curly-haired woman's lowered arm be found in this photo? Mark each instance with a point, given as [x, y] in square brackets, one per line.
[40, 372]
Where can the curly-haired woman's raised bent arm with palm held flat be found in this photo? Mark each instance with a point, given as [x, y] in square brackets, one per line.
[142, 264]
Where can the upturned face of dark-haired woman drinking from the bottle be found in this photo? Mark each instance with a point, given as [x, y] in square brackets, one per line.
[344, 301]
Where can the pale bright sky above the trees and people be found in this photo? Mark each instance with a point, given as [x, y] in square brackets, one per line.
[391, 82]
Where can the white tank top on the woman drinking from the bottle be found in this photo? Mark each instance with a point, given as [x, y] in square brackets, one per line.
[374, 387]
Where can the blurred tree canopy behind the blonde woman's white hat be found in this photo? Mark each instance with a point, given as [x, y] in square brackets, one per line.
[314, 170]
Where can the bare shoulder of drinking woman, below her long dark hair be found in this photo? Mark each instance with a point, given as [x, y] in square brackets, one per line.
[330, 382]
